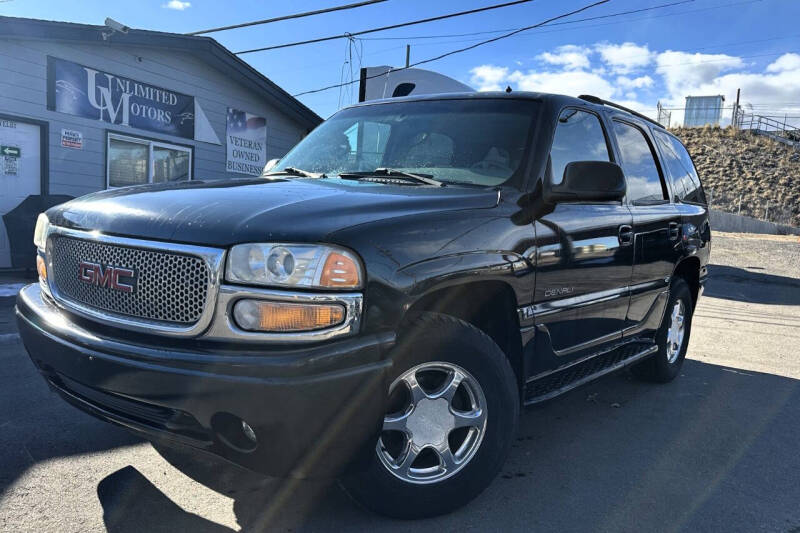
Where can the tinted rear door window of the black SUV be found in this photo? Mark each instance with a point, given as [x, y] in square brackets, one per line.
[639, 165]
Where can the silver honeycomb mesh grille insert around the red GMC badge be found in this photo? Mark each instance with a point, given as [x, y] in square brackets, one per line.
[169, 287]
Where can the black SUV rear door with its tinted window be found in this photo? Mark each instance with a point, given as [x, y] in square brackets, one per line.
[656, 226]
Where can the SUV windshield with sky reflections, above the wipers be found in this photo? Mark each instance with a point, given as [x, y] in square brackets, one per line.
[481, 142]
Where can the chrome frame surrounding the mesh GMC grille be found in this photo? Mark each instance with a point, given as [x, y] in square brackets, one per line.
[212, 257]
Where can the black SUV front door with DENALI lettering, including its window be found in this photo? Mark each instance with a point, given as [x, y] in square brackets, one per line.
[584, 254]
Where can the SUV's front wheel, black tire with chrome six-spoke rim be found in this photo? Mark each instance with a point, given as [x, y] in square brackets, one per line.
[452, 415]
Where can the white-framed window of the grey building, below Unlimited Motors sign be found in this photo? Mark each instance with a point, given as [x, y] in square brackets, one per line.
[134, 161]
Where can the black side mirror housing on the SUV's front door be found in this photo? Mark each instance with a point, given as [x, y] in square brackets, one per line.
[588, 181]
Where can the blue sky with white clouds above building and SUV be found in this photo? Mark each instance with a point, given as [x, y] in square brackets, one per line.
[700, 47]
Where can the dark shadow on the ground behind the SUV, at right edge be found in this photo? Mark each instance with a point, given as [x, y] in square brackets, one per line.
[733, 283]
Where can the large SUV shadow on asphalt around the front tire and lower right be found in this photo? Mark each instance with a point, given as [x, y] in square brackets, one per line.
[713, 451]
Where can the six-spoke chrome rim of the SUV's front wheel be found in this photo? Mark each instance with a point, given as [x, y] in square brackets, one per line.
[435, 424]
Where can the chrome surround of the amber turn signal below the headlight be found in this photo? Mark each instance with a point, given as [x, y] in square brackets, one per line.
[224, 327]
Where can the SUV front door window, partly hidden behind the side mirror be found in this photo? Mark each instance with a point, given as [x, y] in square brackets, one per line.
[579, 137]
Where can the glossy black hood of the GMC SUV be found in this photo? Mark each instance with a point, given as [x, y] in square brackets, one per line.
[222, 213]
